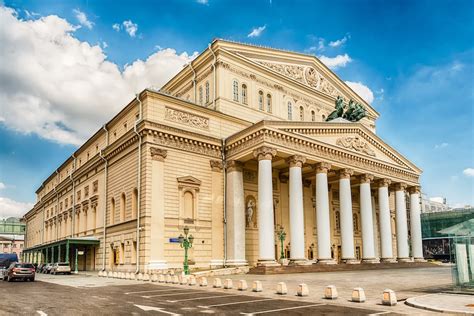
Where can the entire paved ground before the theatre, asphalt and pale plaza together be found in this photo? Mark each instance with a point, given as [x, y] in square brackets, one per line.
[64, 295]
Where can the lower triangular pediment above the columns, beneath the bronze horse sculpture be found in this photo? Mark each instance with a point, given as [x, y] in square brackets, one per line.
[353, 137]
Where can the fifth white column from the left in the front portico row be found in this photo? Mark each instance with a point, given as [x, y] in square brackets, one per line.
[367, 220]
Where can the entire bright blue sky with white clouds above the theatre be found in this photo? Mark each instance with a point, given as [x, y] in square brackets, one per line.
[84, 60]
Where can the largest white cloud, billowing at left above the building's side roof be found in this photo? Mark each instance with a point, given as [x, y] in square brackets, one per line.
[66, 81]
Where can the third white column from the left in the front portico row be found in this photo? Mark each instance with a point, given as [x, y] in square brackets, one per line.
[323, 224]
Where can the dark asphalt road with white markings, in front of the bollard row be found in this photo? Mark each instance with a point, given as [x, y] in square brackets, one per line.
[41, 298]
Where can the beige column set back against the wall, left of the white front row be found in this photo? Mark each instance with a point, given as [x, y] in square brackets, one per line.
[235, 214]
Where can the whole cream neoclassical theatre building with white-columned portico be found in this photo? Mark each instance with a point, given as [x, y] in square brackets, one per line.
[235, 147]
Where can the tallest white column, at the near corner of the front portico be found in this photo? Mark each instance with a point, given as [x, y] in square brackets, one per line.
[266, 225]
